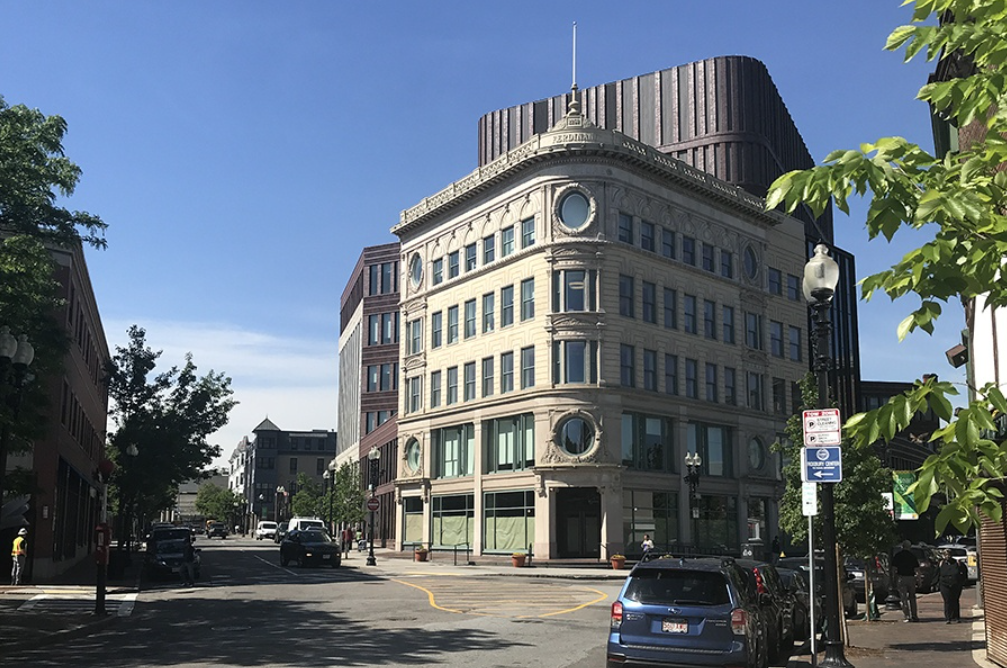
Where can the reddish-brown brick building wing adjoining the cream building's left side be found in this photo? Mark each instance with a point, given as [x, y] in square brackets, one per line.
[370, 374]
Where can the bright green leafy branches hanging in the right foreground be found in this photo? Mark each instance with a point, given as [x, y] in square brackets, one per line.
[961, 199]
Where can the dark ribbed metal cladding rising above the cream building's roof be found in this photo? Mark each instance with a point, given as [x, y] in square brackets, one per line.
[723, 115]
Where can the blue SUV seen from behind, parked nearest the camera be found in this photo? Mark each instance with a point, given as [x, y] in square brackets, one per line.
[685, 612]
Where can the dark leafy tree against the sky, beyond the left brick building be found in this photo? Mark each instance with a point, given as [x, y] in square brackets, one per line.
[163, 422]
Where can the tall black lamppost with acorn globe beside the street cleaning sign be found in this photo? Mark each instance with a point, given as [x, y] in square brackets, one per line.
[821, 280]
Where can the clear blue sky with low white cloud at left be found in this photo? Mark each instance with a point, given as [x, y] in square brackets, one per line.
[243, 154]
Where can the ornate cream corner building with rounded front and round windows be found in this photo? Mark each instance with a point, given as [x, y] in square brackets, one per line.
[578, 316]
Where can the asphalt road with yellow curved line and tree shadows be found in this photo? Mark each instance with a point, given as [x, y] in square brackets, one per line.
[248, 611]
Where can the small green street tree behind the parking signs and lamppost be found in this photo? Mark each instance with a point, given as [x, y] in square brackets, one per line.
[862, 521]
